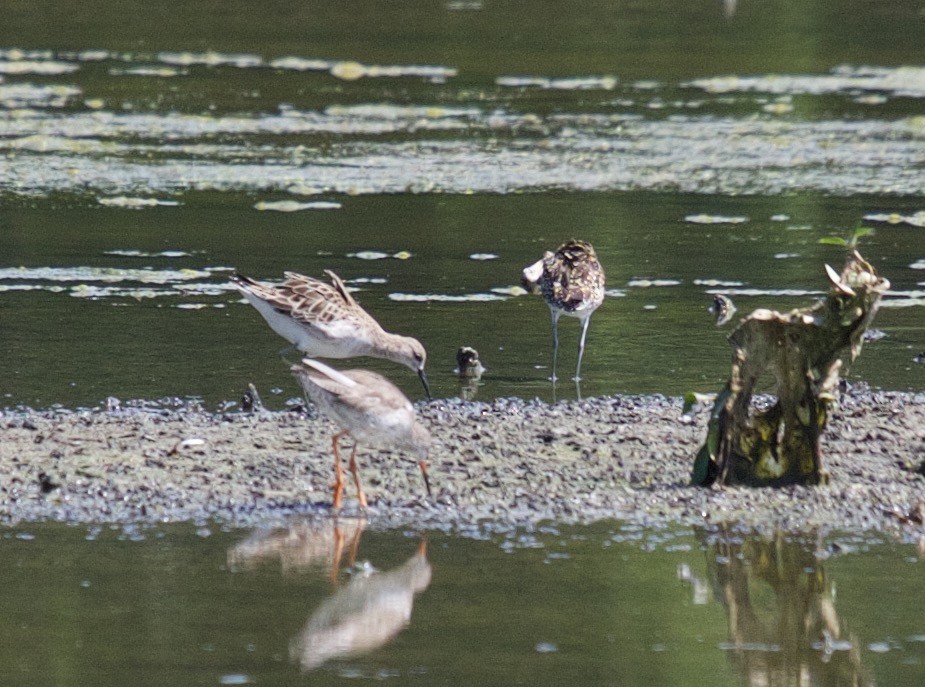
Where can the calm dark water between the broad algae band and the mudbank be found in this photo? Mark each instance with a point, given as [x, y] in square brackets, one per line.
[147, 290]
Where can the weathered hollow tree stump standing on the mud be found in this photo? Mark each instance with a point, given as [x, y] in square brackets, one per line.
[801, 351]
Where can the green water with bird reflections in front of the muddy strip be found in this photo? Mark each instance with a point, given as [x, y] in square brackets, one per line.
[602, 605]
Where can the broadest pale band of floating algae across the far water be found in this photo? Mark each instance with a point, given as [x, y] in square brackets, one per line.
[176, 153]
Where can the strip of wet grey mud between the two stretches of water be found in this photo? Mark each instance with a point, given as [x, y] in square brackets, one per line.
[510, 461]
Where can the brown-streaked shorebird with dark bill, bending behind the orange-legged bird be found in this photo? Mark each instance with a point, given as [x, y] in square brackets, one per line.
[324, 321]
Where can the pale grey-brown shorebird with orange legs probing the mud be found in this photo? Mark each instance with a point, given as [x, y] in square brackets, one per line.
[369, 409]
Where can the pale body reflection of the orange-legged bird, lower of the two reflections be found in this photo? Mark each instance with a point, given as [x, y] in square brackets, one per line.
[364, 615]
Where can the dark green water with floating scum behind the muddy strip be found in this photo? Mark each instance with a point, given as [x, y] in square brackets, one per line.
[444, 130]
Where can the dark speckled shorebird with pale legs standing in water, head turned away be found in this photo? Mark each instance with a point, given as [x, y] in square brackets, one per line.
[571, 281]
